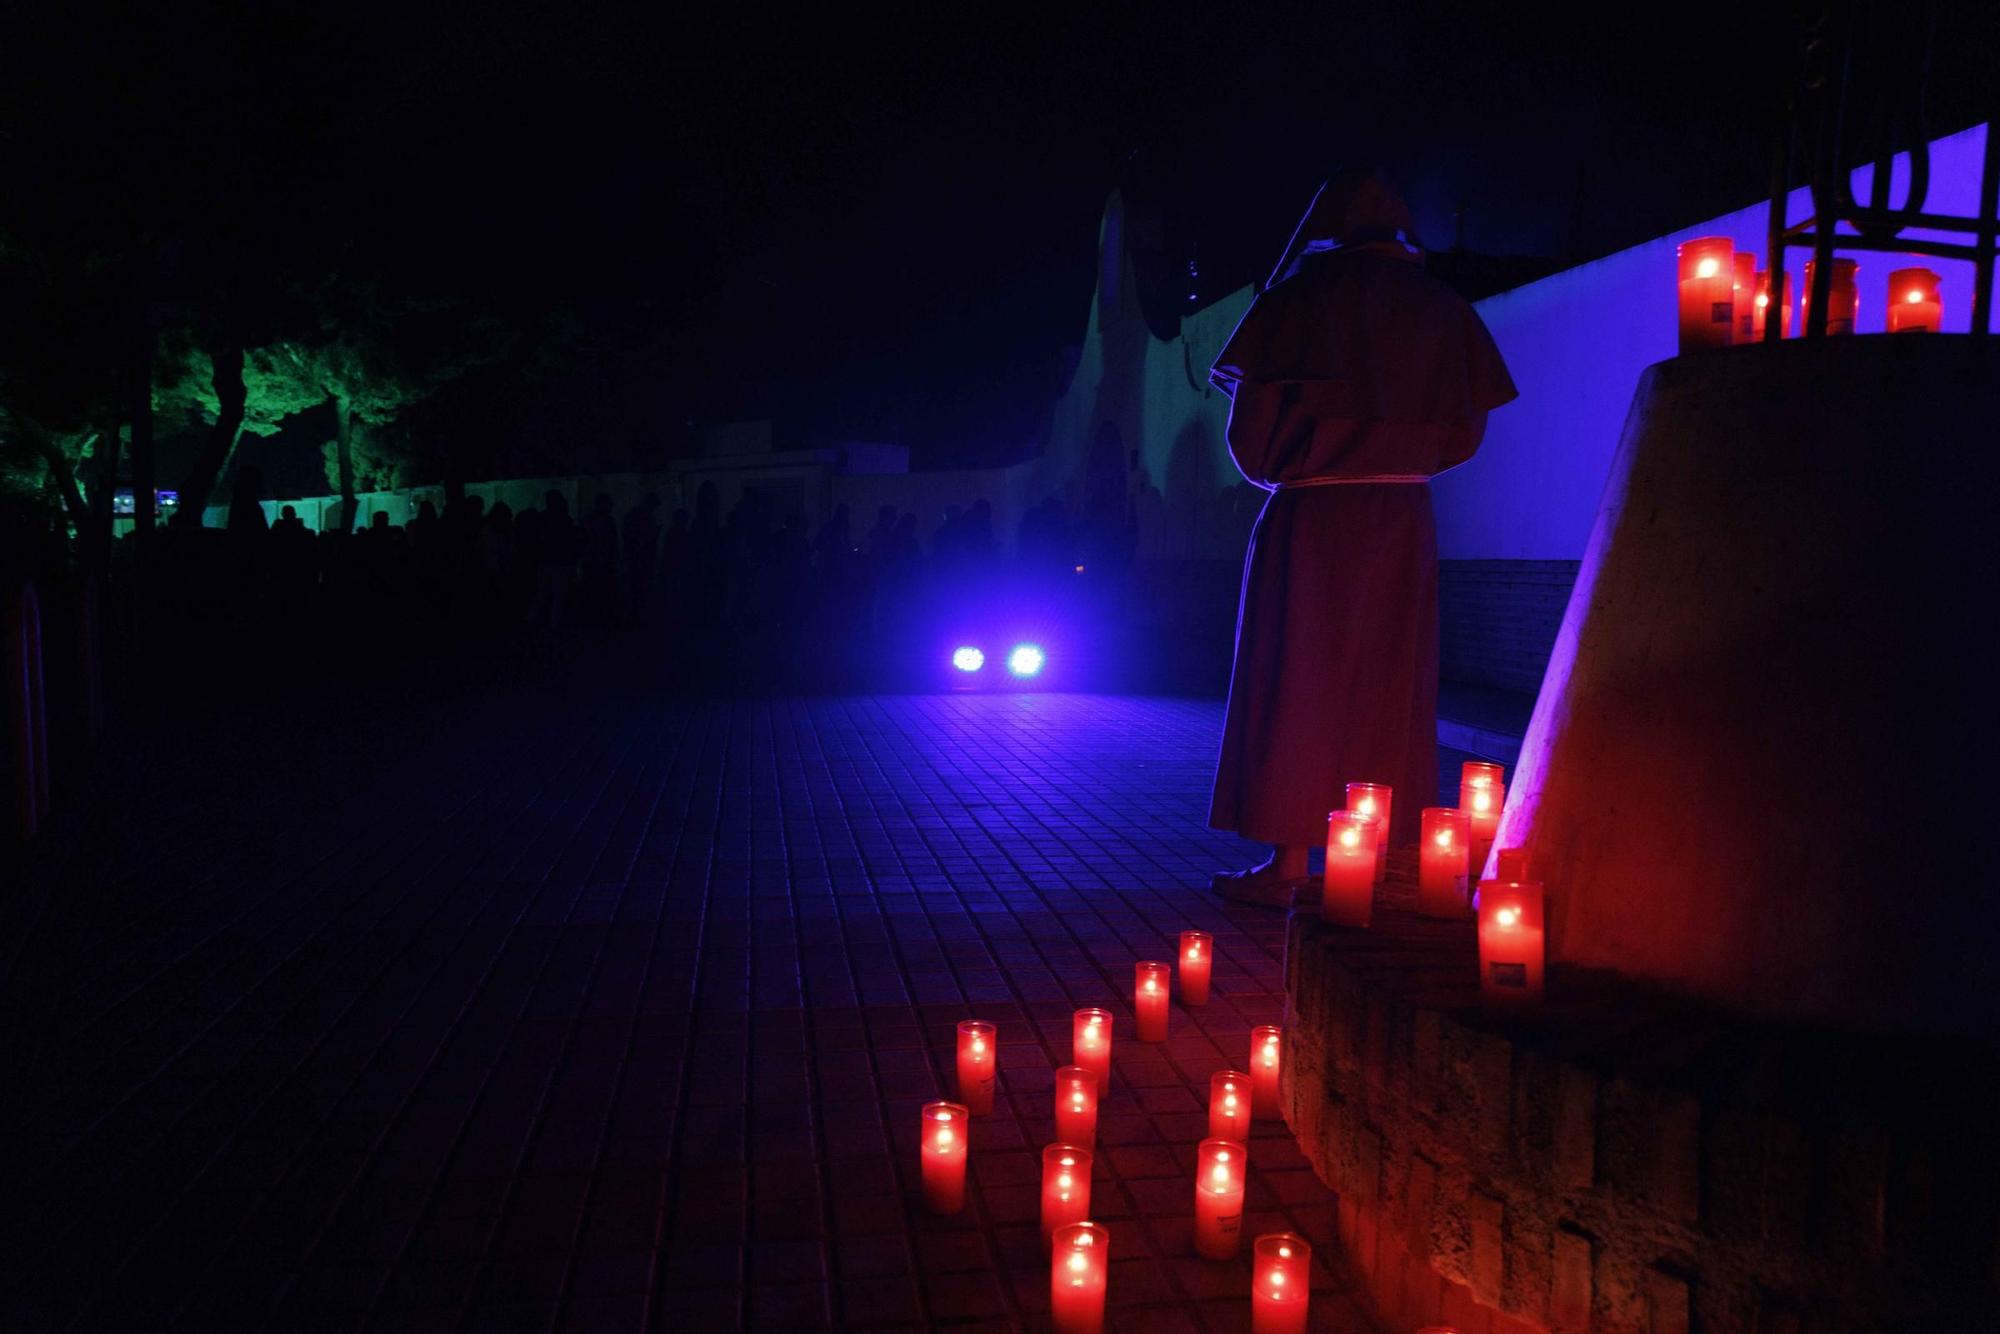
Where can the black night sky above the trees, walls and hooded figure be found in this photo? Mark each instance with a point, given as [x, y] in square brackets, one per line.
[869, 221]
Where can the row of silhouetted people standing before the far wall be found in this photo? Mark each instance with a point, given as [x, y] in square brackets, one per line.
[479, 569]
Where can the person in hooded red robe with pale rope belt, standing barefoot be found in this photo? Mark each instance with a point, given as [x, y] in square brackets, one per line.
[1355, 379]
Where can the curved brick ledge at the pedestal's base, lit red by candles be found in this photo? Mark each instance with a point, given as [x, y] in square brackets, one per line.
[1625, 1161]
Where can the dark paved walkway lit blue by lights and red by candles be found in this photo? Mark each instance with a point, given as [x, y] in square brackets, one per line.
[513, 1015]
